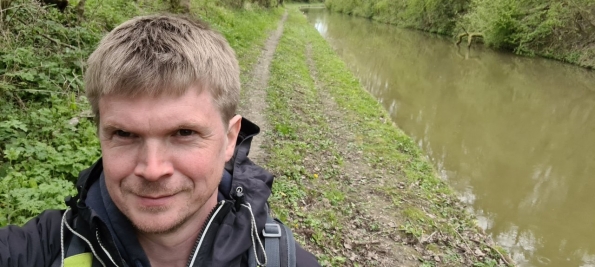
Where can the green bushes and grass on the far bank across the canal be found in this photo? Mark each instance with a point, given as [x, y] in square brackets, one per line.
[562, 30]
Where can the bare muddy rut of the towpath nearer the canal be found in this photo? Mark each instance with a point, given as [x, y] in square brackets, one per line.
[372, 238]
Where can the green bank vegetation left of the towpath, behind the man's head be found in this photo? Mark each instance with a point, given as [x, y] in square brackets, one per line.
[47, 134]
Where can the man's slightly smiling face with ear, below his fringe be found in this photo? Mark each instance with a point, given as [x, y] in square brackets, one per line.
[163, 156]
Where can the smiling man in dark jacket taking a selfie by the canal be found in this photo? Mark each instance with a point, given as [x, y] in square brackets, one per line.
[174, 186]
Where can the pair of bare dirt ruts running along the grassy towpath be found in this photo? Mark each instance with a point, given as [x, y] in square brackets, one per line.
[361, 245]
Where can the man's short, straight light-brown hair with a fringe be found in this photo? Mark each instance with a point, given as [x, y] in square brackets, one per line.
[164, 54]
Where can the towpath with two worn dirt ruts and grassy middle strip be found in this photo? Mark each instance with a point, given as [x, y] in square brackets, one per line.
[348, 212]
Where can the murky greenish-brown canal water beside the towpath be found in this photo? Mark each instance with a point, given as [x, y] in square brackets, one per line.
[514, 135]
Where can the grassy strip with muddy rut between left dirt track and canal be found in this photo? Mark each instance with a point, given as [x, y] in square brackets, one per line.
[355, 187]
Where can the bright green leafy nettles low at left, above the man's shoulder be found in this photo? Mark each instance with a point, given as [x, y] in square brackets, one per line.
[43, 150]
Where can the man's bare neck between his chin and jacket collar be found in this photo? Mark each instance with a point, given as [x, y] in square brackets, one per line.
[173, 249]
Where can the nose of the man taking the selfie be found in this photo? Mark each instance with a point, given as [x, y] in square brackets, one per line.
[153, 162]
